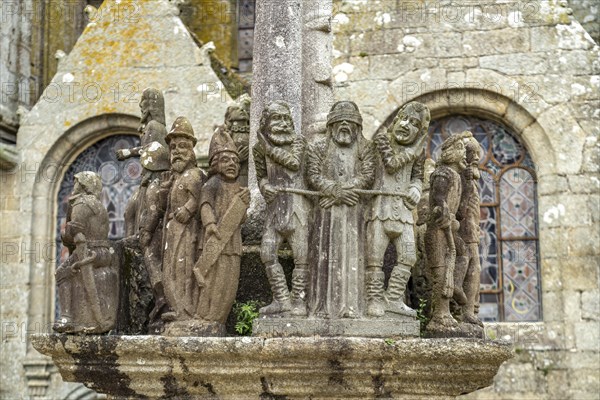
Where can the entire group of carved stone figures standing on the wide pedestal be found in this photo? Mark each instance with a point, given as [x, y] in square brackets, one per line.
[337, 199]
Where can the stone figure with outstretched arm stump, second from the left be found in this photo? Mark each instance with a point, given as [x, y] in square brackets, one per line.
[145, 210]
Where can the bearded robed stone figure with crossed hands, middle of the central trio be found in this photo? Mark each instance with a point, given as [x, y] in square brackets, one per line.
[338, 167]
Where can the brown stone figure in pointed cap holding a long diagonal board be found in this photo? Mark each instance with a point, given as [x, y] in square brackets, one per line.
[223, 205]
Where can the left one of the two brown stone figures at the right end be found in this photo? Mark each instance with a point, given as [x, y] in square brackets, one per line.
[441, 237]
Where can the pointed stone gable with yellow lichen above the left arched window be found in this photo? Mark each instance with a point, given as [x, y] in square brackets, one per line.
[128, 46]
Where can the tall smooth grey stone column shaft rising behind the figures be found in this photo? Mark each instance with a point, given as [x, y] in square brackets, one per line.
[277, 66]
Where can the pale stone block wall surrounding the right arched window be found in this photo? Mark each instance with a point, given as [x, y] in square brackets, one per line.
[532, 66]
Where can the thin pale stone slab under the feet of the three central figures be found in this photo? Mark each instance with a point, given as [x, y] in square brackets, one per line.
[384, 327]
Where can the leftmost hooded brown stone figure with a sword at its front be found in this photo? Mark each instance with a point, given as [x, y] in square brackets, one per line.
[88, 281]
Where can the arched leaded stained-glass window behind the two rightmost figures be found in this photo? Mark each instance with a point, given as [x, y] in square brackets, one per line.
[510, 273]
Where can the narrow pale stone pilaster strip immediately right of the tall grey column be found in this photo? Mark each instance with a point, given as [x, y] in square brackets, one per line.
[317, 87]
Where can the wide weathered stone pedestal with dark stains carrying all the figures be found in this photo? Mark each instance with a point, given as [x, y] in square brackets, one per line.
[294, 368]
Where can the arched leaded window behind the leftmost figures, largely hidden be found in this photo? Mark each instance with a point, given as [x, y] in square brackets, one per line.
[119, 181]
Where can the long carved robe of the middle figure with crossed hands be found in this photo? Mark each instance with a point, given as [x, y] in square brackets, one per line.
[338, 238]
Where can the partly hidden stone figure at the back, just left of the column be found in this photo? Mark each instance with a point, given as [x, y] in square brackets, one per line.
[237, 126]
